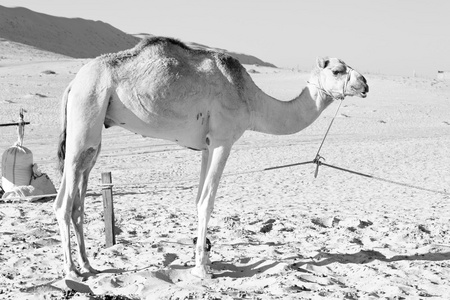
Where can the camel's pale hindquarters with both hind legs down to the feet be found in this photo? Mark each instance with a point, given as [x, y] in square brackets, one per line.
[86, 102]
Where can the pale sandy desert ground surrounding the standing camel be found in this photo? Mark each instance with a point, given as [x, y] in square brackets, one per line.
[277, 234]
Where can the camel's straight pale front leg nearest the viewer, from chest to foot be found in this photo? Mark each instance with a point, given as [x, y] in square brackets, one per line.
[205, 204]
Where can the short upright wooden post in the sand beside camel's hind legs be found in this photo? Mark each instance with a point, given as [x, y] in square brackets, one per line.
[108, 209]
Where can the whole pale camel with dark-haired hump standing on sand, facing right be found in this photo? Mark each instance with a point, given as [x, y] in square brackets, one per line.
[202, 100]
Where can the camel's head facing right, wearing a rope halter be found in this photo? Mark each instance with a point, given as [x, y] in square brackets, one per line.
[338, 79]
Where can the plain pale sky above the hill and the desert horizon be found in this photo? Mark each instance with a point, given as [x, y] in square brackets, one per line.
[398, 37]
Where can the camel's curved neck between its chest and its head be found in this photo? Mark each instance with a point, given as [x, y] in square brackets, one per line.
[273, 116]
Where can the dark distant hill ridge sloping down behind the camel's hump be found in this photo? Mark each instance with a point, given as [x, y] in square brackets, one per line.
[78, 38]
